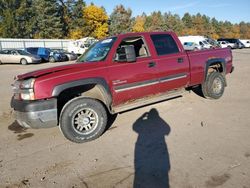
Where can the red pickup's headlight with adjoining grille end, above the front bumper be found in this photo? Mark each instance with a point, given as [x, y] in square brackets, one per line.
[24, 90]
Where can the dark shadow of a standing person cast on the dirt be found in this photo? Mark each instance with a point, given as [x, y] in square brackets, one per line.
[152, 163]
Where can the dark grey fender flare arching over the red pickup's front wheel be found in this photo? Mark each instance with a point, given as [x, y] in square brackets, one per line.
[98, 81]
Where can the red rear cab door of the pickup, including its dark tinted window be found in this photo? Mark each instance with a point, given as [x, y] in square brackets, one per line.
[172, 63]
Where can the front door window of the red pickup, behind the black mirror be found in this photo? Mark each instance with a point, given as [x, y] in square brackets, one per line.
[140, 47]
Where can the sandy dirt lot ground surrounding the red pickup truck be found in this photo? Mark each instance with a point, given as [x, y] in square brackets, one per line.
[189, 142]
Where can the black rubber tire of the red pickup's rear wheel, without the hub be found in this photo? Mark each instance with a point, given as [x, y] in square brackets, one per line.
[209, 84]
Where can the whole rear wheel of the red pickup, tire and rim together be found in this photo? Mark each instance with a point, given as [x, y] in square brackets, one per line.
[214, 85]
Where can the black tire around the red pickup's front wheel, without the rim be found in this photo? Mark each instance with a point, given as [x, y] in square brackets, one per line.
[68, 112]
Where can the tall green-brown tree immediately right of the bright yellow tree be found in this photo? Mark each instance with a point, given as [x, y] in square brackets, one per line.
[120, 20]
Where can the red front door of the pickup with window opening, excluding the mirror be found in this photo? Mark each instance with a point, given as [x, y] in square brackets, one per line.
[133, 80]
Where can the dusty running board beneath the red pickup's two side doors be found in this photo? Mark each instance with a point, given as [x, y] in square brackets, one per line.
[147, 100]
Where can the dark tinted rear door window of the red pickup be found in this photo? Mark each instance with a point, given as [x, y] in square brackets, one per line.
[164, 44]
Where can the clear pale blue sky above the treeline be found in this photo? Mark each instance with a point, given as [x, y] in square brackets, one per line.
[231, 10]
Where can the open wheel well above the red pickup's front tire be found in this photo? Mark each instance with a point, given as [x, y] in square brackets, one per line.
[94, 91]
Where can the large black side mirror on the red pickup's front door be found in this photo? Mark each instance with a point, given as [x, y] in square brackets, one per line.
[126, 54]
